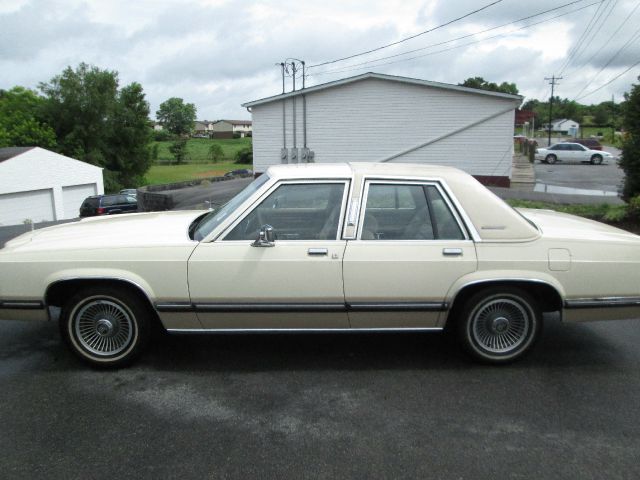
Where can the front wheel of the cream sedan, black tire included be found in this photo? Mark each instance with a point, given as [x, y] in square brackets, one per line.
[106, 327]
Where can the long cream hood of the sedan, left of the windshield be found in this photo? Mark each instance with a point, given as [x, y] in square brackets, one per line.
[118, 231]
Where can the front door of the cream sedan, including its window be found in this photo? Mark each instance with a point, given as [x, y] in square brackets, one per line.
[294, 282]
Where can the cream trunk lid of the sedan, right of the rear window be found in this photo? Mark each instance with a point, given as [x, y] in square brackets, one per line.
[564, 226]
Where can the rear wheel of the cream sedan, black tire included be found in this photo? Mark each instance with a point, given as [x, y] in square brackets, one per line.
[499, 325]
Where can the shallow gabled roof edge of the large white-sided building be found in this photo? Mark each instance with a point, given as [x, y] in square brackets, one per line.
[380, 76]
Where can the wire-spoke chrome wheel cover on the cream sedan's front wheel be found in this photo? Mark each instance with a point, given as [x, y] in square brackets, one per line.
[103, 326]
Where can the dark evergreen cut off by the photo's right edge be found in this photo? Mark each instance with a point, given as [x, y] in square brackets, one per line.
[630, 160]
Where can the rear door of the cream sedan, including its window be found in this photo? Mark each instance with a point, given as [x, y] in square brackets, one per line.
[411, 246]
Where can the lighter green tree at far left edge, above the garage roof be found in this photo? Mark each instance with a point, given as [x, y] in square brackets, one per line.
[21, 120]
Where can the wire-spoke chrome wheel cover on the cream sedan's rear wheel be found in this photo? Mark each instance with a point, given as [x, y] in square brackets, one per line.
[500, 325]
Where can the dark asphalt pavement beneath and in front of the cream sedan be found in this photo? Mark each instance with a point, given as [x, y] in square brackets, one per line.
[323, 406]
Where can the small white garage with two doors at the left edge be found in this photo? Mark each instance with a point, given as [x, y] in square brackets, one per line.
[39, 185]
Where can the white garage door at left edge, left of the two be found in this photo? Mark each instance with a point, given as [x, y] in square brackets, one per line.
[36, 205]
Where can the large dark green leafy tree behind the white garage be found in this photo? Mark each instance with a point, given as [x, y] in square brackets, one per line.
[96, 122]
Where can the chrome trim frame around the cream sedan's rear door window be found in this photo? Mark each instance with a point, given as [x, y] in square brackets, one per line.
[437, 183]
